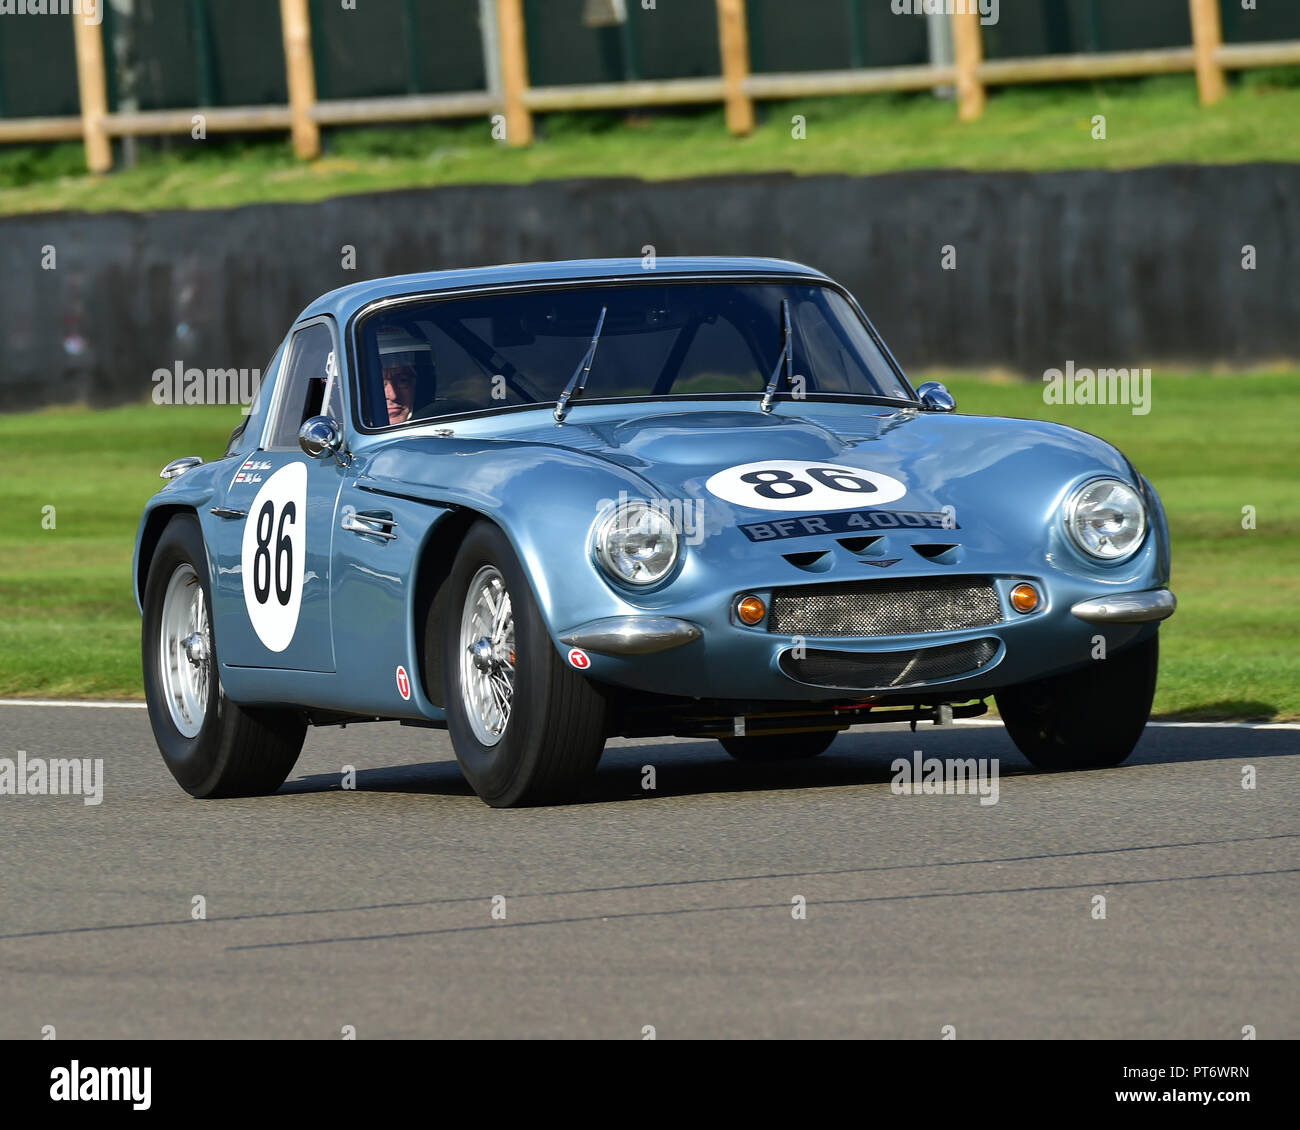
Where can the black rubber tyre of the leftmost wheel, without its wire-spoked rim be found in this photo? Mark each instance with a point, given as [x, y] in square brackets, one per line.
[236, 751]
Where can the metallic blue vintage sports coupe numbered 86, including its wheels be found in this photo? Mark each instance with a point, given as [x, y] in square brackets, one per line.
[548, 504]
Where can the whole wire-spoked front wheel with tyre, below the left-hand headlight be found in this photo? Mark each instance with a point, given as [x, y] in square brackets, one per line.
[526, 728]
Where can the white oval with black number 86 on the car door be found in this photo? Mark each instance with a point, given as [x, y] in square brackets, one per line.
[272, 557]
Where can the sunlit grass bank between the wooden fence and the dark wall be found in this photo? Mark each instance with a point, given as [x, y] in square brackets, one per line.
[1154, 122]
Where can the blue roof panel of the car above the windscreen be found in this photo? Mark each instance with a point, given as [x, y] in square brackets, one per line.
[344, 302]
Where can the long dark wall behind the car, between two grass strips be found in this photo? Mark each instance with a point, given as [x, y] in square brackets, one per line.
[1107, 269]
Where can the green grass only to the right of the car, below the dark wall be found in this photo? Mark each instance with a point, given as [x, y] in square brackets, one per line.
[1212, 445]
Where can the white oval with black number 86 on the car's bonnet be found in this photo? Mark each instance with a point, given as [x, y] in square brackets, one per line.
[795, 484]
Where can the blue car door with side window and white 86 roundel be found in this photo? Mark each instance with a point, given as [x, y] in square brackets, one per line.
[274, 543]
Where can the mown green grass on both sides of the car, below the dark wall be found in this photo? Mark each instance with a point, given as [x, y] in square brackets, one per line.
[1212, 445]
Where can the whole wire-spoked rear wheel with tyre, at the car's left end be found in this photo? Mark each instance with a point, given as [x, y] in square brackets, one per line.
[211, 746]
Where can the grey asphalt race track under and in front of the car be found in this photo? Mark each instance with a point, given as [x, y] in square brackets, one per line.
[374, 908]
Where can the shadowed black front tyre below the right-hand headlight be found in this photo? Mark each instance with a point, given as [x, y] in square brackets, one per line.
[1091, 718]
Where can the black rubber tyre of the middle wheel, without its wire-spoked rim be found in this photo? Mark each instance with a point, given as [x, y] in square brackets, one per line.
[557, 728]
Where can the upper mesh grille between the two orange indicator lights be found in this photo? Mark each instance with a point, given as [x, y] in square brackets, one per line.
[902, 608]
